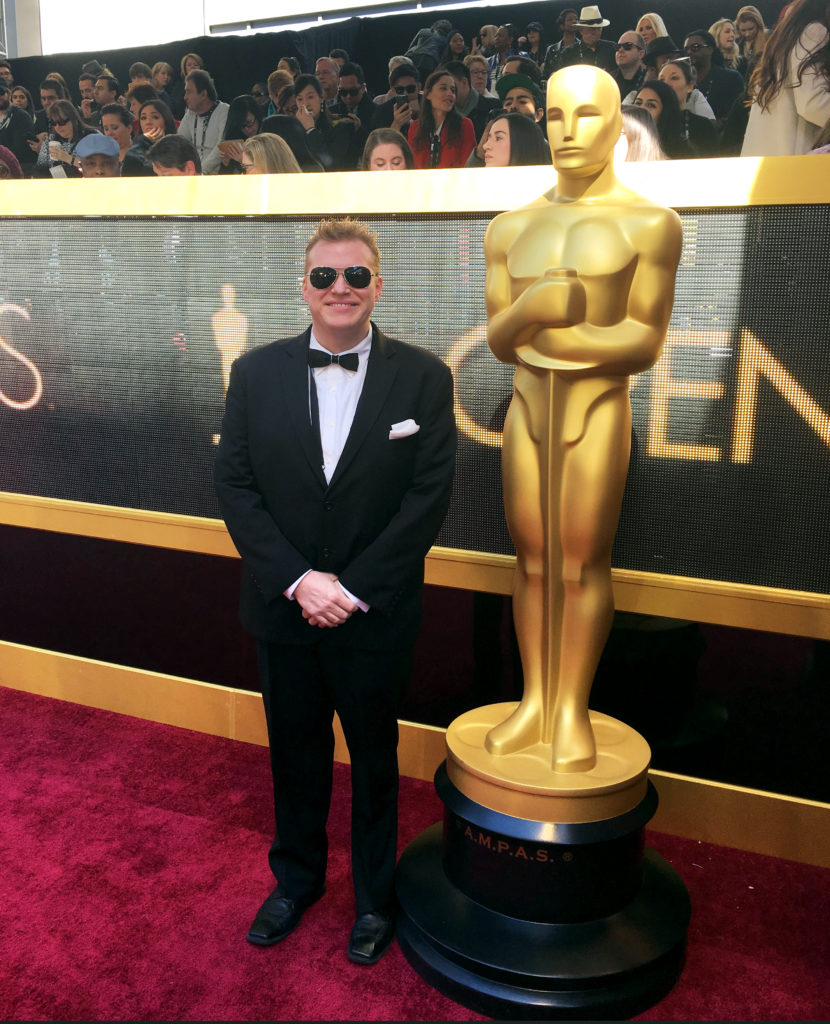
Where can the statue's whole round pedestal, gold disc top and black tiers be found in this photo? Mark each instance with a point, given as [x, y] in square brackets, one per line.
[537, 900]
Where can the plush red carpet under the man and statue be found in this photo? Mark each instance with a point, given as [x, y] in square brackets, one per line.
[135, 858]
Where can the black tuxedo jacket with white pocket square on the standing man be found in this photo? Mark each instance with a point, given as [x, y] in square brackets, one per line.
[376, 521]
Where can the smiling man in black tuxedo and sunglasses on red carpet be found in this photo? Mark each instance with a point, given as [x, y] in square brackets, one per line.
[334, 475]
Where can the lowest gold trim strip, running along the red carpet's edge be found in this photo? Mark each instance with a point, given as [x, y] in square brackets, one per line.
[729, 816]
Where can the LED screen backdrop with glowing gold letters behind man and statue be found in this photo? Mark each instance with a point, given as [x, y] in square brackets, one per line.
[117, 333]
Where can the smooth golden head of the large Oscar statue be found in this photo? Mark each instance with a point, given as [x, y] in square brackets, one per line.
[584, 119]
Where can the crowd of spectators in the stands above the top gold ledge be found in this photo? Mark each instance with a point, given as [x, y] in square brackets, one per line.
[737, 88]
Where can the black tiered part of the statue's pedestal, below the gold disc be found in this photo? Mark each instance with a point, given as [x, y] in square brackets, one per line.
[534, 920]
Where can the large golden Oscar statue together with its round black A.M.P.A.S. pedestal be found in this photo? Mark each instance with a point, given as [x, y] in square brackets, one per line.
[537, 898]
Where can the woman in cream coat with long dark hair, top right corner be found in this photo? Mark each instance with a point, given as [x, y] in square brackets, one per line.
[791, 87]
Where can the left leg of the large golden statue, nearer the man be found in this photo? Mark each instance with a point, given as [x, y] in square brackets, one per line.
[521, 479]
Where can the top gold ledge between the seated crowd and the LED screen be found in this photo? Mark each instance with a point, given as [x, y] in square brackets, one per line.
[683, 185]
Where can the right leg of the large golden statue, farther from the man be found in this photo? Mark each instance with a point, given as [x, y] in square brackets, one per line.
[593, 482]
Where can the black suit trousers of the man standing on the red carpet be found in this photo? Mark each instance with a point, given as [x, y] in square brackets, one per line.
[303, 686]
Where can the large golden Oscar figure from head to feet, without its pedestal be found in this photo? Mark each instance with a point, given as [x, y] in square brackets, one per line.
[580, 292]
